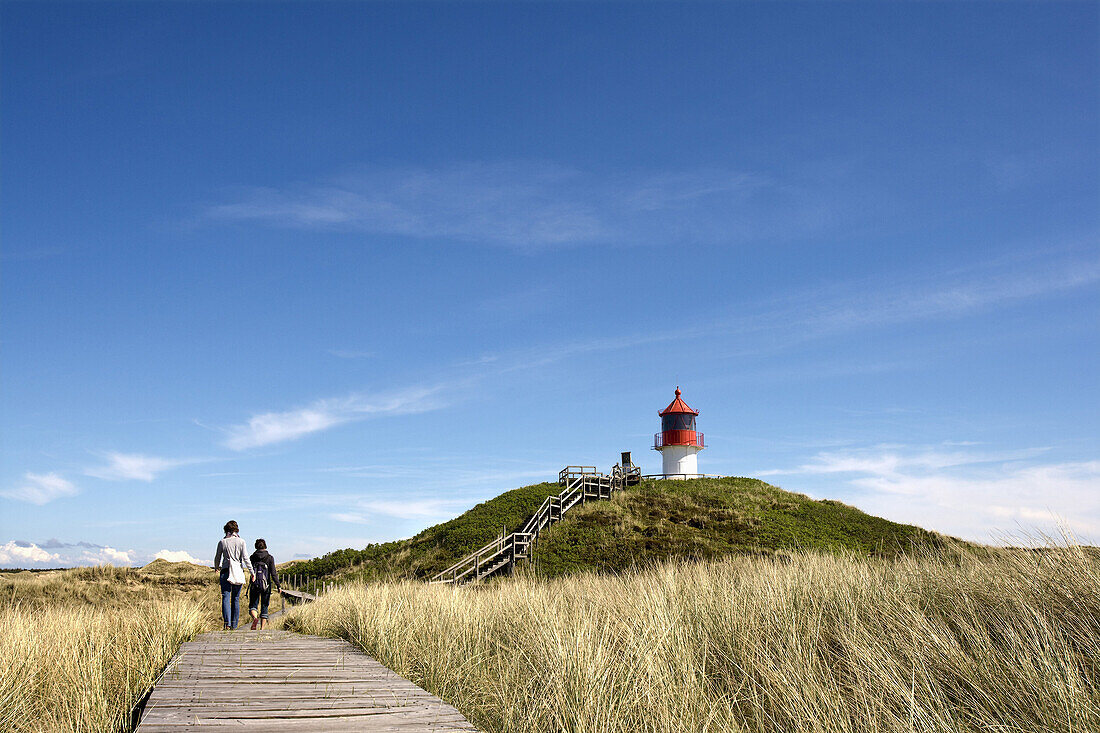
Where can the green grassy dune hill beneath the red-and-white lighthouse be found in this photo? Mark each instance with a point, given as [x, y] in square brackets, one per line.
[655, 521]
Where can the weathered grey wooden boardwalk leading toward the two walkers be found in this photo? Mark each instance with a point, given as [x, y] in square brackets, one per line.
[279, 682]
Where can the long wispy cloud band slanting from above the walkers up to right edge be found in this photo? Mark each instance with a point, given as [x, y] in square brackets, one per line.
[777, 326]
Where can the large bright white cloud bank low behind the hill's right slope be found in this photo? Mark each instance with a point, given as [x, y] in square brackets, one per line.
[975, 496]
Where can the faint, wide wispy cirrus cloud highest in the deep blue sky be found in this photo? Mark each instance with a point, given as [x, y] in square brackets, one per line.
[525, 204]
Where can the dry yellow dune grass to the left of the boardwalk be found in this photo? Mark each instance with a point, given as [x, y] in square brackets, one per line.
[80, 649]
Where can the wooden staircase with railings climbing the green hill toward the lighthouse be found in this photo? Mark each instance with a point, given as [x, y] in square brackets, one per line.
[582, 484]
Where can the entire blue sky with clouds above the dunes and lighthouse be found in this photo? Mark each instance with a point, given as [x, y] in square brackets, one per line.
[342, 271]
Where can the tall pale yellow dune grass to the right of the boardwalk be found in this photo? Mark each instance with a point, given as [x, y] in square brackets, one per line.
[1004, 641]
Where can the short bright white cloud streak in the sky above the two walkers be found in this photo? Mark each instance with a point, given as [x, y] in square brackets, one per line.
[291, 425]
